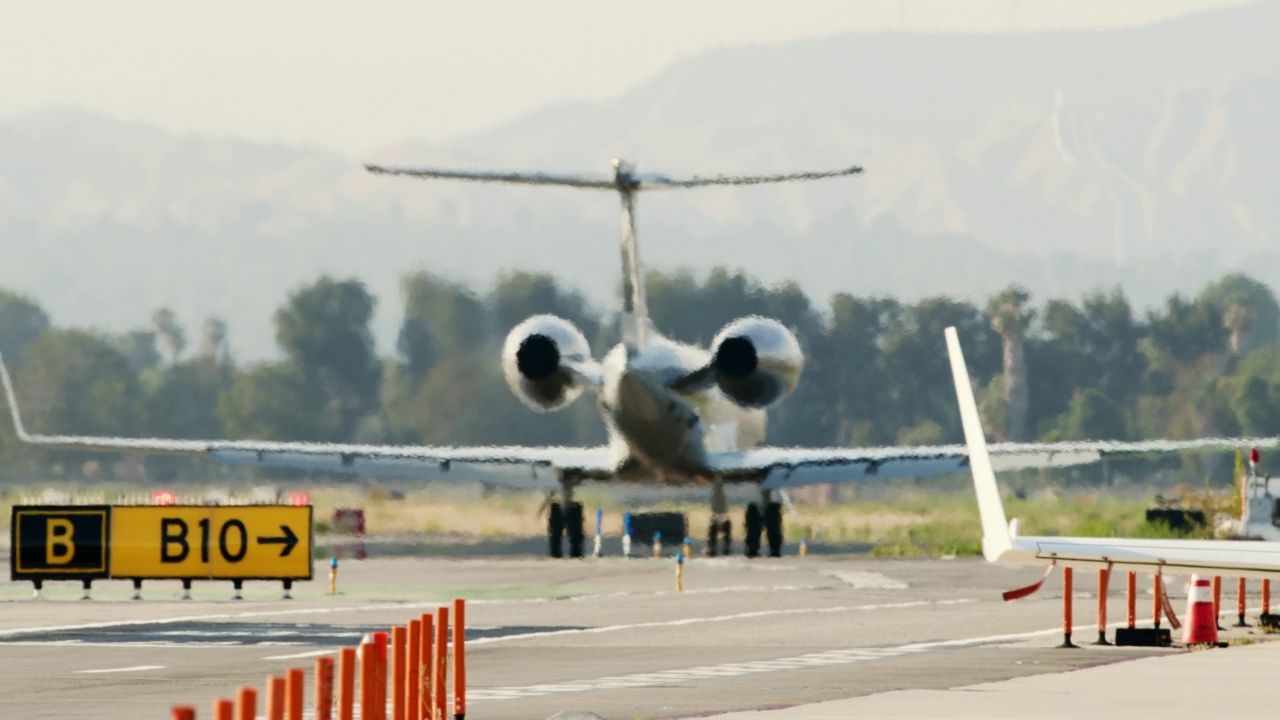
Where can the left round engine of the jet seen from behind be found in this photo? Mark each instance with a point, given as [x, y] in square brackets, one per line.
[533, 359]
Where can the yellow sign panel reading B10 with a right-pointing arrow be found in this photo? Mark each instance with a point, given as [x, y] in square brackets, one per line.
[254, 543]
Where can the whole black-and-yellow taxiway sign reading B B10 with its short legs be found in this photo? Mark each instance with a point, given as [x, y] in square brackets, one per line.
[145, 543]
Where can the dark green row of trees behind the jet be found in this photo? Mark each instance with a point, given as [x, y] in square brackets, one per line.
[877, 371]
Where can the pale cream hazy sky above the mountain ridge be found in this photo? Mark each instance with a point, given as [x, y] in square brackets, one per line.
[356, 76]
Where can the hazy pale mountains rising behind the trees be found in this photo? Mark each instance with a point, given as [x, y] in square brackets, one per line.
[1063, 161]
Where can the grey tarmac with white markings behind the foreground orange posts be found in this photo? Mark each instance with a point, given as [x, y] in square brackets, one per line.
[606, 636]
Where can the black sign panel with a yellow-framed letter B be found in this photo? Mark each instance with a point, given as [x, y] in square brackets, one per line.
[52, 543]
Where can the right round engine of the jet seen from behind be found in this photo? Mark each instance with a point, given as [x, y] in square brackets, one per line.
[757, 362]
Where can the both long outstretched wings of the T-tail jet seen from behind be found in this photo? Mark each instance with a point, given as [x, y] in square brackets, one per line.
[520, 467]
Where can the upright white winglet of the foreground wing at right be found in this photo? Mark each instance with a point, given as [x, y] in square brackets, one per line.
[995, 528]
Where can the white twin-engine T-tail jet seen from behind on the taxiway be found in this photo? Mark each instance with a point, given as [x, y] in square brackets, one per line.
[674, 413]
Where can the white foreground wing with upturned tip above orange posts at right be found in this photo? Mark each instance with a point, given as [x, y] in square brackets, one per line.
[1003, 544]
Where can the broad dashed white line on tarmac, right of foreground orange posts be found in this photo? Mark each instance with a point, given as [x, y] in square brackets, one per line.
[751, 668]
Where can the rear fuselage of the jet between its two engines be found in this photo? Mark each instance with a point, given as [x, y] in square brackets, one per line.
[662, 435]
